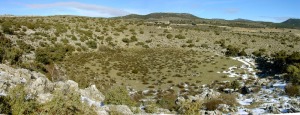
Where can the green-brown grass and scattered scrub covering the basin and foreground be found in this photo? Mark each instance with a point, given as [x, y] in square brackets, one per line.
[143, 54]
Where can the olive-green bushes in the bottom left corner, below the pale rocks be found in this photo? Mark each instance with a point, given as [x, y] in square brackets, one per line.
[17, 102]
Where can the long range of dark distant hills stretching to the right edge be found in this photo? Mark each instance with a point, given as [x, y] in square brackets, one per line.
[186, 18]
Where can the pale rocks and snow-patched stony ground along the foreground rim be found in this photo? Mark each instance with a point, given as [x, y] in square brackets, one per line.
[271, 97]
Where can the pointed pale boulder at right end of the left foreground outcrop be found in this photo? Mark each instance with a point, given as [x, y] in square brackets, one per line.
[92, 93]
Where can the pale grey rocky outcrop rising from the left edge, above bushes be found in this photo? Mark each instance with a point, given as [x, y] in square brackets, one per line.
[40, 87]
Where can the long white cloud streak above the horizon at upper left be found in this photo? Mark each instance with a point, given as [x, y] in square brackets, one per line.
[83, 9]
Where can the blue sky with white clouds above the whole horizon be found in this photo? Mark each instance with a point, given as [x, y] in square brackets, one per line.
[260, 10]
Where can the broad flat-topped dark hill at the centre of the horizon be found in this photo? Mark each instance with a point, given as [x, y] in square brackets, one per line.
[169, 16]
